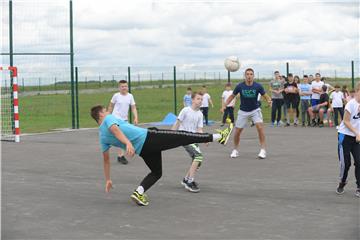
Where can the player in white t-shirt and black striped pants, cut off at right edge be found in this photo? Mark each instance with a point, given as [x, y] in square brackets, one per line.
[349, 142]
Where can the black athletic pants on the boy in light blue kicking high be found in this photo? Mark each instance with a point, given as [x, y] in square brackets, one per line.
[158, 140]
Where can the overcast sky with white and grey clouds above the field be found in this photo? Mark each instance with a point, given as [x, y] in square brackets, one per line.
[310, 34]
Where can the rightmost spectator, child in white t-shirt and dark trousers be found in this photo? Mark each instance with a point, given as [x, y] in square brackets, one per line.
[337, 102]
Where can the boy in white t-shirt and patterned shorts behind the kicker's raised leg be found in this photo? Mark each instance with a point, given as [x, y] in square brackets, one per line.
[190, 119]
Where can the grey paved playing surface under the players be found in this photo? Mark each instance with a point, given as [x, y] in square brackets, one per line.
[53, 188]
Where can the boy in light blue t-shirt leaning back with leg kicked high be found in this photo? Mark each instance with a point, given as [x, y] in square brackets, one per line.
[147, 143]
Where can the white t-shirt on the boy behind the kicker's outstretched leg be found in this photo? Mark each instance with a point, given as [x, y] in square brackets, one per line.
[190, 119]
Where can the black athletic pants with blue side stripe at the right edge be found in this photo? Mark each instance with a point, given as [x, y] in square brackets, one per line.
[347, 145]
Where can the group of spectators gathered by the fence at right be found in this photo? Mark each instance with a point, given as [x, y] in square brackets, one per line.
[317, 101]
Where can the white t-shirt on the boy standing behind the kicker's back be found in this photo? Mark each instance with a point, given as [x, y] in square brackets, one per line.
[122, 104]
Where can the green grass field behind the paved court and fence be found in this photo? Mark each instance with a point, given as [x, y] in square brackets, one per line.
[42, 113]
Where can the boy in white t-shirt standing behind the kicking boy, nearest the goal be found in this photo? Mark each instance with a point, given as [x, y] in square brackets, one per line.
[119, 106]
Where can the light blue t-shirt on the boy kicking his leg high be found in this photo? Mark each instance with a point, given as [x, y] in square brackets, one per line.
[136, 135]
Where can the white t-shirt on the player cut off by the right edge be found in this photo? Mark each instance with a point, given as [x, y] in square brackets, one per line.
[353, 107]
